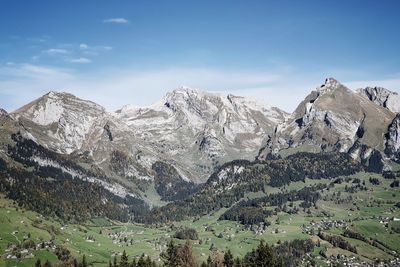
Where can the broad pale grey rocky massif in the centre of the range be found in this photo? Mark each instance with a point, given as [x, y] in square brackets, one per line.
[200, 130]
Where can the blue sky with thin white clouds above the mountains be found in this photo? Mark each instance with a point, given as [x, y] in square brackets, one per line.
[134, 52]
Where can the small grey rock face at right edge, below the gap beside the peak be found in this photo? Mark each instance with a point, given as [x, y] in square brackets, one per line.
[392, 146]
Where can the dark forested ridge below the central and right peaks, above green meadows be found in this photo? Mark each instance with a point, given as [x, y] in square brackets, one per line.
[234, 180]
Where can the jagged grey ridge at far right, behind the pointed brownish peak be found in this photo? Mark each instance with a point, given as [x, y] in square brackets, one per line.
[382, 97]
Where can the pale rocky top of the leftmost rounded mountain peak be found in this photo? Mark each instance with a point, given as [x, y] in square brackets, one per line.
[60, 120]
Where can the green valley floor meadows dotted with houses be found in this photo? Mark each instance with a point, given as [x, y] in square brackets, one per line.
[373, 213]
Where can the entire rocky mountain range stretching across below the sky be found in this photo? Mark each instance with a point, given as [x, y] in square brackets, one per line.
[162, 152]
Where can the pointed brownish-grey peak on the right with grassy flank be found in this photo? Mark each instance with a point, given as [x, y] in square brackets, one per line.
[331, 118]
